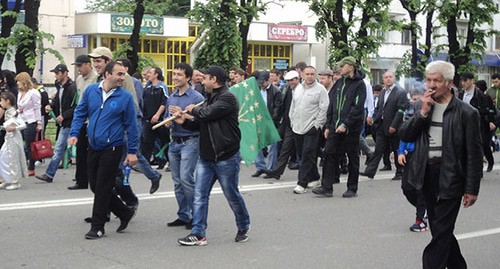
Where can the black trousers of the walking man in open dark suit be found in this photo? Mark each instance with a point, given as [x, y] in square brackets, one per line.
[382, 145]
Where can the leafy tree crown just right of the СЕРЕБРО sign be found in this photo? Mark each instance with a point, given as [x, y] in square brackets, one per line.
[352, 26]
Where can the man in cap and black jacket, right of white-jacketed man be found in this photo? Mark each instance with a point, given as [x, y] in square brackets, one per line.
[345, 118]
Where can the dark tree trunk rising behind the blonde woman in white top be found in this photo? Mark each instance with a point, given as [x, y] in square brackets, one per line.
[28, 50]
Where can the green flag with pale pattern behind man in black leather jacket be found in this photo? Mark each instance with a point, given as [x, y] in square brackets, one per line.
[256, 125]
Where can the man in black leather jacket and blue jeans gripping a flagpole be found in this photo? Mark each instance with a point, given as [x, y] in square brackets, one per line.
[217, 122]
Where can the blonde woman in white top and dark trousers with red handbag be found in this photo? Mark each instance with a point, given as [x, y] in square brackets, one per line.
[29, 107]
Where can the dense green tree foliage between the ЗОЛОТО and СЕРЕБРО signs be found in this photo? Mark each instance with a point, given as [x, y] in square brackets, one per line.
[222, 44]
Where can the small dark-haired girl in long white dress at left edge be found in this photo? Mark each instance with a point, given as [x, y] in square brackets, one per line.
[12, 158]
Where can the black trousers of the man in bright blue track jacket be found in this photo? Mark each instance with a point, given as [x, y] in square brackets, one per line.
[102, 167]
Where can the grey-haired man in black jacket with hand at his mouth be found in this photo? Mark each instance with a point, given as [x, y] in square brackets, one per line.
[447, 162]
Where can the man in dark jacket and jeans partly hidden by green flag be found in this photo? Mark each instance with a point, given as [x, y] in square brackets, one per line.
[273, 98]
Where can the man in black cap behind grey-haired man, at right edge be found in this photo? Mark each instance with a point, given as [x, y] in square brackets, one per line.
[474, 97]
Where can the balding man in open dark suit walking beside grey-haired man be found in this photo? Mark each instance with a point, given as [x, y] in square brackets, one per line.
[389, 116]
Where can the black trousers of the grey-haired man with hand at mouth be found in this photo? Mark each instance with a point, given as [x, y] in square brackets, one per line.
[443, 251]
